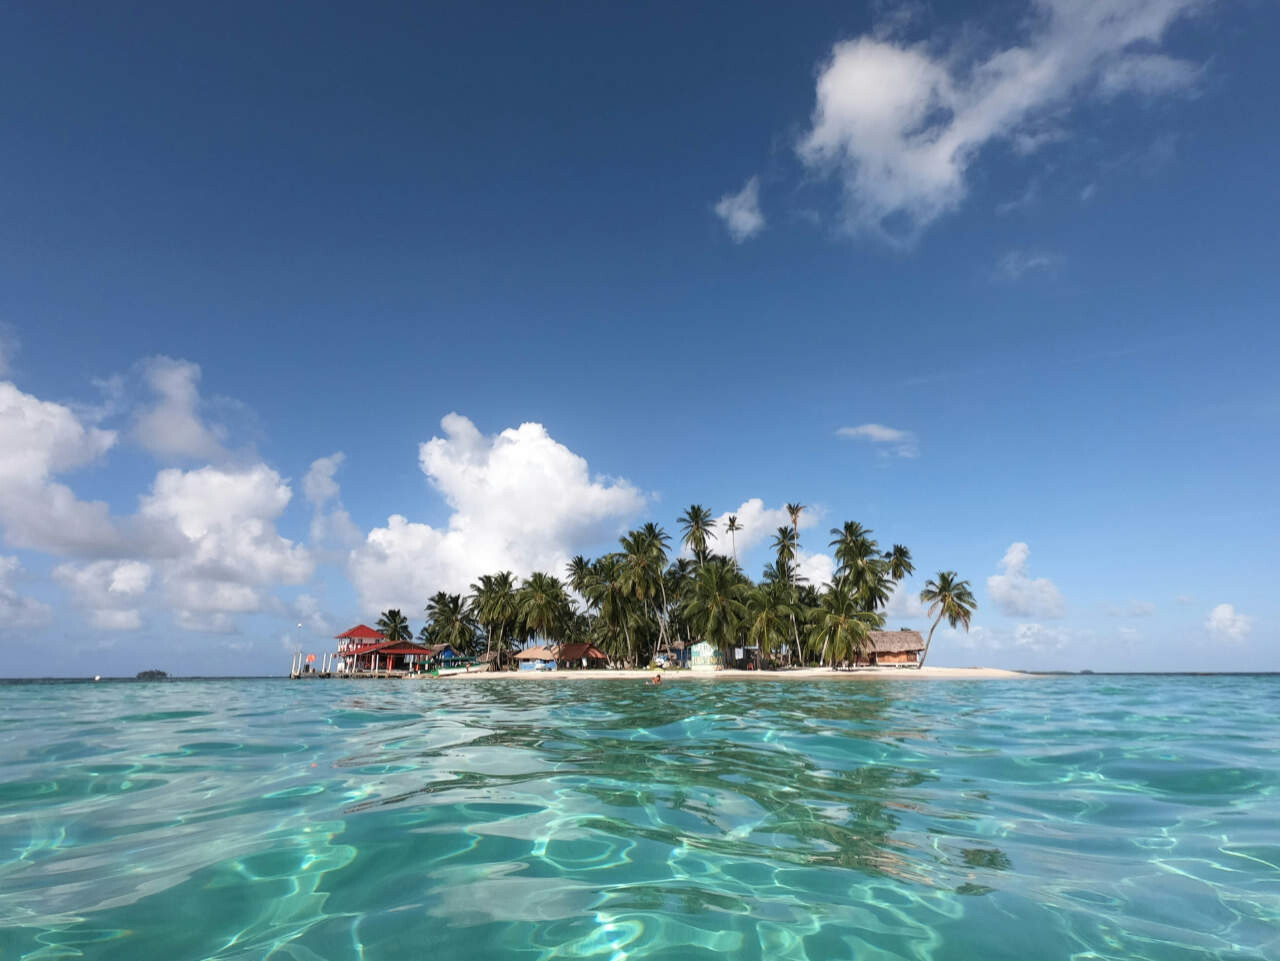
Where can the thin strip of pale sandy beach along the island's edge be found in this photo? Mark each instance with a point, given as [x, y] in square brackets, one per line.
[926, 674]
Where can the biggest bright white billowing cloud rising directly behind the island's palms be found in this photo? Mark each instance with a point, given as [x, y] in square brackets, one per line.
[520, 502]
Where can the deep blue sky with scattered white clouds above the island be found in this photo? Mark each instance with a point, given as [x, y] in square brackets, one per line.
[308, 312]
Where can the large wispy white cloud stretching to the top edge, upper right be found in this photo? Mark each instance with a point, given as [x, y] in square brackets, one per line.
[899, 125]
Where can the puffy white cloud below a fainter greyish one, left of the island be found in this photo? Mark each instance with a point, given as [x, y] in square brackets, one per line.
[231, 547]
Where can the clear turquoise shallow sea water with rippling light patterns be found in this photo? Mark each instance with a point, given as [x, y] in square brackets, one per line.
[1084, 818]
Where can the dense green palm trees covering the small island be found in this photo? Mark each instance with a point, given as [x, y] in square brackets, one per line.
[637, 602]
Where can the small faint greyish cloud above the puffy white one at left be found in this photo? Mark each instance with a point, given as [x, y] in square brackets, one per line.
[173, 427]
